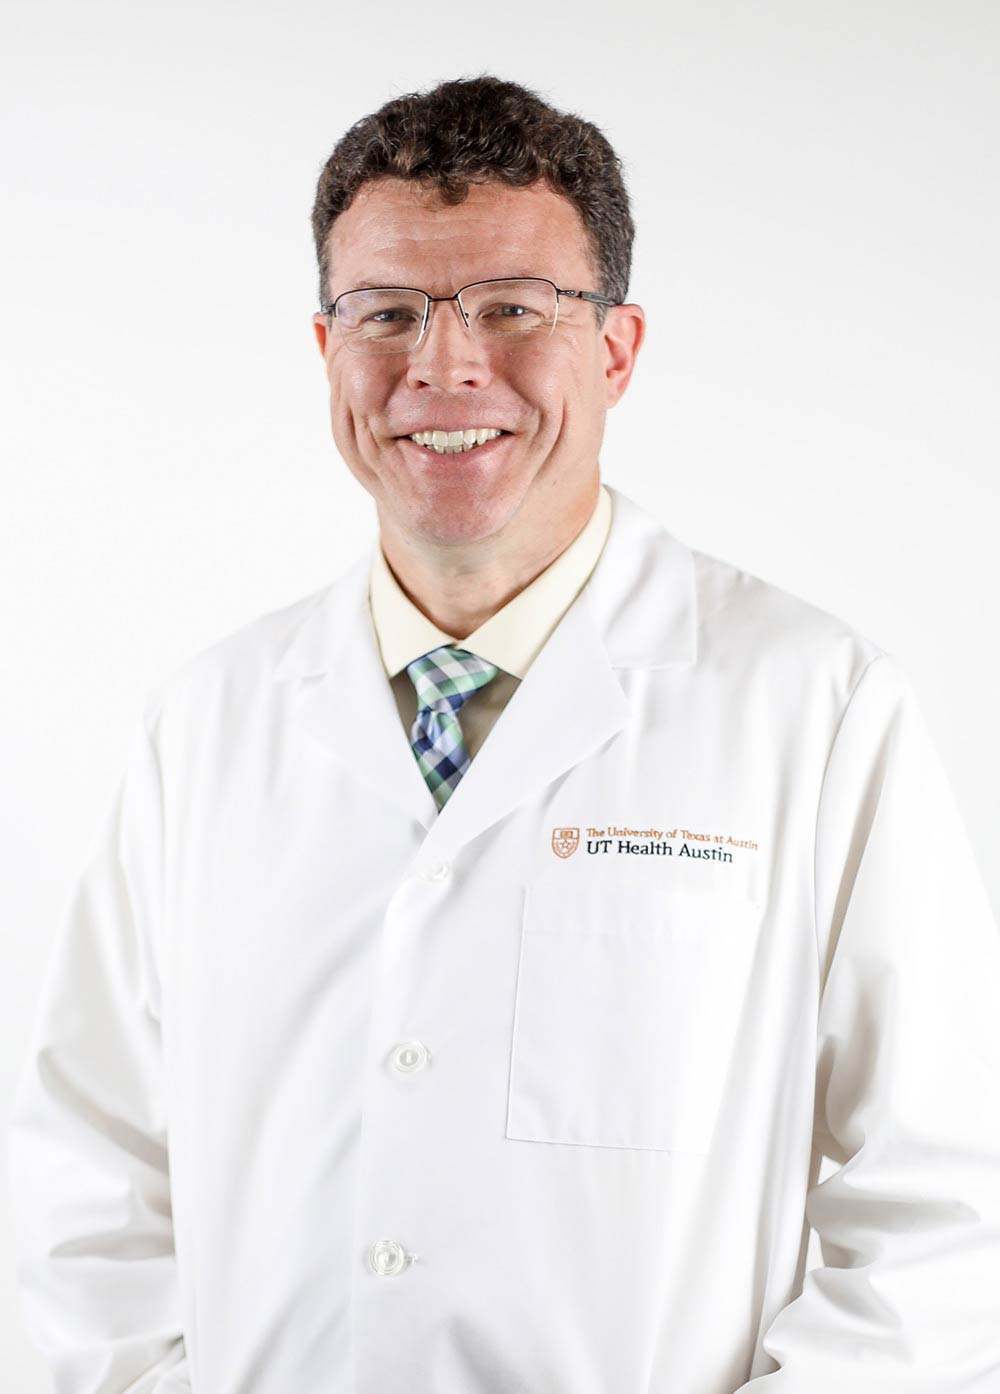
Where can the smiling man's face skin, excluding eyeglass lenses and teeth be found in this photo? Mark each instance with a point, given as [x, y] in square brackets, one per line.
[549, 397]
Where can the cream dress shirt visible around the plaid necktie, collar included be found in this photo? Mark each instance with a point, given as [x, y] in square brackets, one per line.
[511, 639]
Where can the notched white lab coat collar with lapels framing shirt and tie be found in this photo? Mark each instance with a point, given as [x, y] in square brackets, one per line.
[638, 610]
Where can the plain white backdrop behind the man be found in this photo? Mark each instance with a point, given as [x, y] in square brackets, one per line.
[817, 204]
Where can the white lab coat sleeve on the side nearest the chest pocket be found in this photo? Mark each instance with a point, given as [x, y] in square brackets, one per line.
[907, 1103]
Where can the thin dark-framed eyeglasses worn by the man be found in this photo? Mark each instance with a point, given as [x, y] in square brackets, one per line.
[513, 310]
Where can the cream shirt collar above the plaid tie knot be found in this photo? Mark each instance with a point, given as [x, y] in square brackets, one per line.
[513, 638]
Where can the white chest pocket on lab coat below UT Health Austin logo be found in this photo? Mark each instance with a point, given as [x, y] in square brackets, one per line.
[627, 1009]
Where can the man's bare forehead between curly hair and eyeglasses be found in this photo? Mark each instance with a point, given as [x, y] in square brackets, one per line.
[397, 232]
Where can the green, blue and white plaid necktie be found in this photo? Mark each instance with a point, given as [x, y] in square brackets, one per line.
[444, 680]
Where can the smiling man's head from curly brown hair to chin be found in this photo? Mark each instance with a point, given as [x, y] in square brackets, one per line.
[476, 181]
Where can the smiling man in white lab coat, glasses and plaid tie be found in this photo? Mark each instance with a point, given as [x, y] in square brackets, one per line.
[485, 951]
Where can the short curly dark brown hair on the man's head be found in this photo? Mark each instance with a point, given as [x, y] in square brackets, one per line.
[475, 130]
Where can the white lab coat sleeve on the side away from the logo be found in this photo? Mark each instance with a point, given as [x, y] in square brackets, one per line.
[89, 1161]
